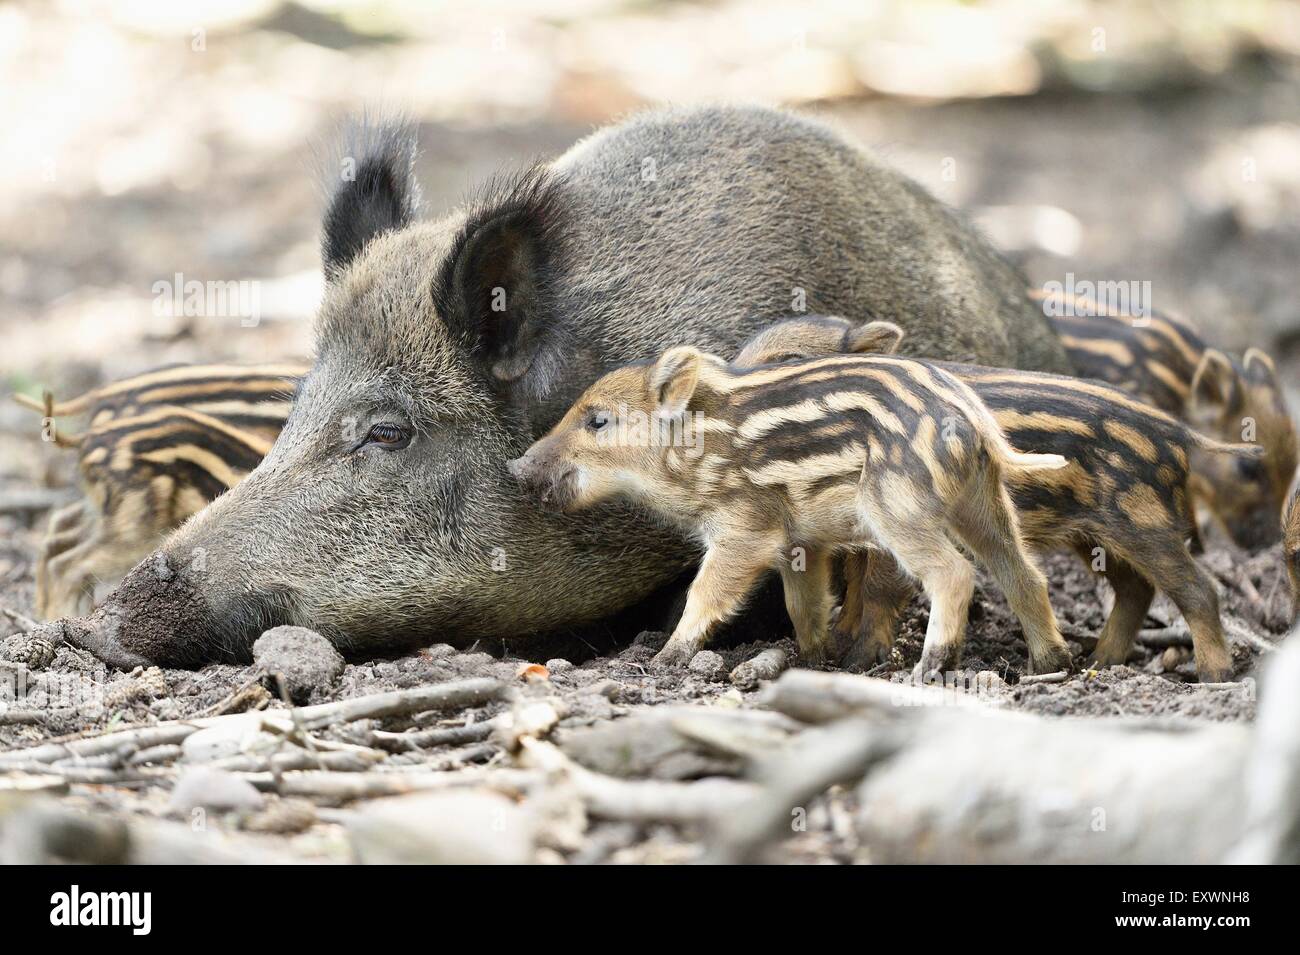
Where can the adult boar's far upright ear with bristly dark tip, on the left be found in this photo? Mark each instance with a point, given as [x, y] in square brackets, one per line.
[374, 189]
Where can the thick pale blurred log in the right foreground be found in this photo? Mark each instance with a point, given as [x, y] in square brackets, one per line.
[994, 787]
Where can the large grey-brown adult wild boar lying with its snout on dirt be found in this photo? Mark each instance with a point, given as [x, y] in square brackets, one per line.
[384, 516]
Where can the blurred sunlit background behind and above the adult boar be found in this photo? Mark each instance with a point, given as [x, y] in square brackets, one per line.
[154, 140]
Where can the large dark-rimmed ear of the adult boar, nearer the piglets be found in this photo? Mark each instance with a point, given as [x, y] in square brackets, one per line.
[493, 289]
